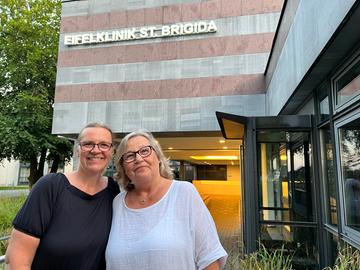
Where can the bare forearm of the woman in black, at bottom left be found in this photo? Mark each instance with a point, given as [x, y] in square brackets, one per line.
[21, 251]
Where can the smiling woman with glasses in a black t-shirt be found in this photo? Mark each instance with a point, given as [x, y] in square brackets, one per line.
[66, 219]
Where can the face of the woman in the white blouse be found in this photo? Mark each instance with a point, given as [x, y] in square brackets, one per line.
[142, 168]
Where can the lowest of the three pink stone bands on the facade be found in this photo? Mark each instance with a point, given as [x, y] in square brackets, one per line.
[164, 89]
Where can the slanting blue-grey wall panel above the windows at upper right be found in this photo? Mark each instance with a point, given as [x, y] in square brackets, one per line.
[313, 25]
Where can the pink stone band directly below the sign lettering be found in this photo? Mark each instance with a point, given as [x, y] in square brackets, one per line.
[223, 46]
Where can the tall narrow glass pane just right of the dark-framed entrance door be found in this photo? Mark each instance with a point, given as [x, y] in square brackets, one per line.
[327, 162]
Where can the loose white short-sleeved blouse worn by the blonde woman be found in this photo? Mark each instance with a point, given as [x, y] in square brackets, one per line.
[175, 233]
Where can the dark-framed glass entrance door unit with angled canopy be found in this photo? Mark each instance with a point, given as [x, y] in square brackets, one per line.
[277, 184]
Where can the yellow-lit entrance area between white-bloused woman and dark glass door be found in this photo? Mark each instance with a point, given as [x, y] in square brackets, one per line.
[213, 165]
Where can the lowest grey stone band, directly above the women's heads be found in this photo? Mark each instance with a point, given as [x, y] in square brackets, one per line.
[182, 114]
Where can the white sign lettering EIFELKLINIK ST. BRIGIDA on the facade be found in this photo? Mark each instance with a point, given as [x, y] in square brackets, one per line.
[179, 29]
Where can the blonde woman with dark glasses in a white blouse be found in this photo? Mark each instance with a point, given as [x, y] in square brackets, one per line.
[158, 223]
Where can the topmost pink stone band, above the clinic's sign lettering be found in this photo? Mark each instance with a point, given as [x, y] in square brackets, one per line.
[201, 10]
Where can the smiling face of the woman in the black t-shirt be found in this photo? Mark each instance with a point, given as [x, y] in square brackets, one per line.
[95, 160]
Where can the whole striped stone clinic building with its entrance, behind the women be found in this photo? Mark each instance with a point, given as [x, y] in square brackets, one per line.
[279, 80]
